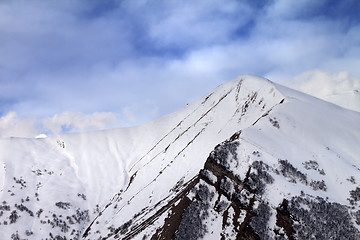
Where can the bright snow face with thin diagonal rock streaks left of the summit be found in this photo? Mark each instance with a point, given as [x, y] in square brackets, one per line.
[182, 152]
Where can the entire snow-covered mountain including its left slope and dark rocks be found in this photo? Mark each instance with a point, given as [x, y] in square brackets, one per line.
[251, 160]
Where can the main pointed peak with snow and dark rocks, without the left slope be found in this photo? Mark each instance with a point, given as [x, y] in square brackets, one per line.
[289, 168]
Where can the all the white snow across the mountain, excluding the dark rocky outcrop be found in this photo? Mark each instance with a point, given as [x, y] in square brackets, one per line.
[92, 183]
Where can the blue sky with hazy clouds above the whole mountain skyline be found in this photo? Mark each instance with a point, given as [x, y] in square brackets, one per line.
[89, 64]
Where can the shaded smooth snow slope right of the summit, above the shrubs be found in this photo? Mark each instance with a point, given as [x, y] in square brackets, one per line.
[309, 129]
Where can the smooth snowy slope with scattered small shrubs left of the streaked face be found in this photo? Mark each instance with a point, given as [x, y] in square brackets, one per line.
[84, 169]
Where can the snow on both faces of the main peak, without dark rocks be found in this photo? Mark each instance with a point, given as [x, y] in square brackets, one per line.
[318, 138]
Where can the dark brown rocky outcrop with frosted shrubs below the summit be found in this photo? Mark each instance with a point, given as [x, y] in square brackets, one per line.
[217, 198]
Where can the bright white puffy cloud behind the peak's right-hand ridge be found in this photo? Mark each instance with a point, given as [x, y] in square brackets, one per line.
[340, 88]
